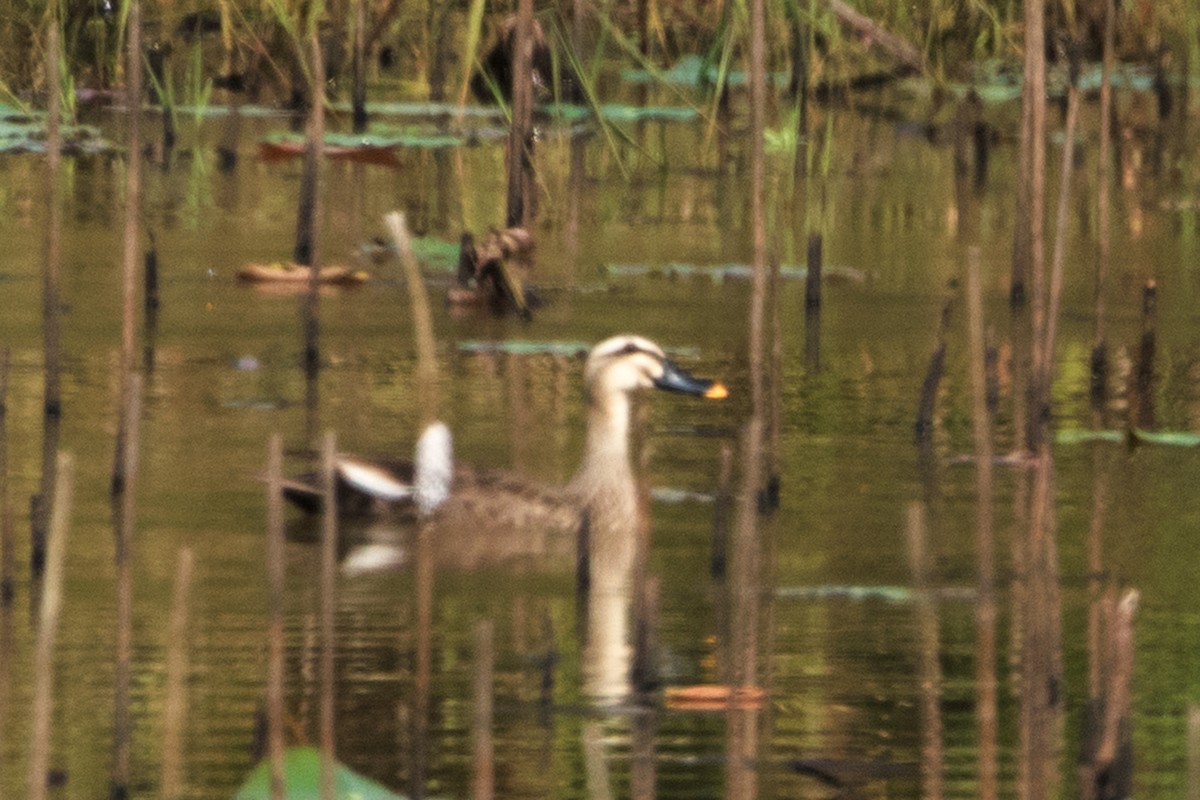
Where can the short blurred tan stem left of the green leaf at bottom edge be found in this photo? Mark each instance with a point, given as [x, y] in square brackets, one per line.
[176, 700]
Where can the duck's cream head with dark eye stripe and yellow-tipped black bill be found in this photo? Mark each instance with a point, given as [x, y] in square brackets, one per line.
[627, 364]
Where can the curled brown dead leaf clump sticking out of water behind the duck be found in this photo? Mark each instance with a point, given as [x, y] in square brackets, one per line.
[494, 273]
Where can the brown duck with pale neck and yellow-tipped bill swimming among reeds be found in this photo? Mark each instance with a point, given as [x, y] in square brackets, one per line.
[485, 518]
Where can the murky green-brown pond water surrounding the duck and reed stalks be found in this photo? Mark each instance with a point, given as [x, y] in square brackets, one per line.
[839, 657]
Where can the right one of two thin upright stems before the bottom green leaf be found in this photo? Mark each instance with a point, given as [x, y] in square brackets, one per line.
[328, 605]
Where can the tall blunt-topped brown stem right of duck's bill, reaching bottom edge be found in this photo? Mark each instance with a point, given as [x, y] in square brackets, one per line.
[986, 601]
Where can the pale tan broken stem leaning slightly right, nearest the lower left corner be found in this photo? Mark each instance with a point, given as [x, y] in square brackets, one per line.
[47, 631]
